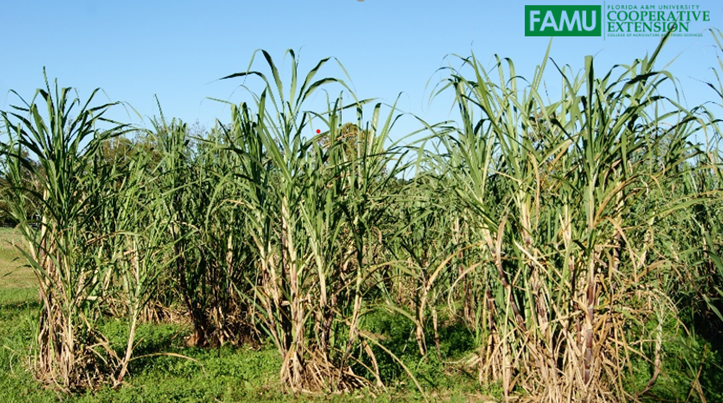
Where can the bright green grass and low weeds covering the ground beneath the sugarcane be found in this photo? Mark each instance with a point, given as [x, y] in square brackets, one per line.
[246, 374]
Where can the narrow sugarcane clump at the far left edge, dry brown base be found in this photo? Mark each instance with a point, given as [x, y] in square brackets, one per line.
[56, 187]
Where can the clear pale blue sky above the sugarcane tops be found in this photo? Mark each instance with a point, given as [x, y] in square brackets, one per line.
[177, 50]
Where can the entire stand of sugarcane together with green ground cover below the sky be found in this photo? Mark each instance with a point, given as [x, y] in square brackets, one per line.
[546, 249]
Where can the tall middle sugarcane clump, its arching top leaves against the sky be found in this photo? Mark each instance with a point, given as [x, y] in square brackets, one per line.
[311, 205]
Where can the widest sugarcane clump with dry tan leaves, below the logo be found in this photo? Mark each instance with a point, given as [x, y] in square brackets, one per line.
[550, 188]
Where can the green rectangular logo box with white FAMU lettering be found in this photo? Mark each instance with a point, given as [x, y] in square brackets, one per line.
[563, 20]
